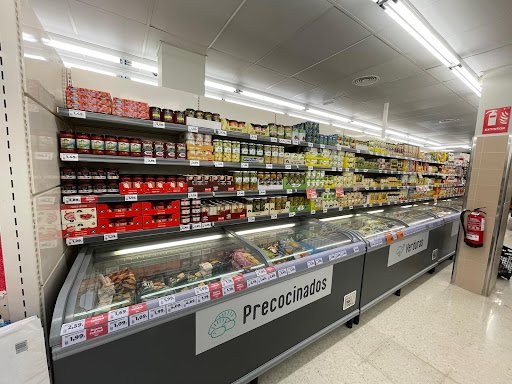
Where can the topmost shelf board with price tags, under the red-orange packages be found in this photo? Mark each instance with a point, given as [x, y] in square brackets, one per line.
[100, 119]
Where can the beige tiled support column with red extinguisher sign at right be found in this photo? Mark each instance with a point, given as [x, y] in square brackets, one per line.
[489, 184]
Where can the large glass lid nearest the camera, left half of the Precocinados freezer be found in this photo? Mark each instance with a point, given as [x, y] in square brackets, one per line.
[122, 275]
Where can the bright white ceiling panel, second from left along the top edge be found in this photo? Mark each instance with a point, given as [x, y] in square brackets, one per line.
[107, 29]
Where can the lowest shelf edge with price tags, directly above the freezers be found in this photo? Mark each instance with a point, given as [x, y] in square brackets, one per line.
[201, 226]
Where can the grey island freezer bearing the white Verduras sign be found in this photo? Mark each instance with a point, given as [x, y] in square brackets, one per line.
[399, 249]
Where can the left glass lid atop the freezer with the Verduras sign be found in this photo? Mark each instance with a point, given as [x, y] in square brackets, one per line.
[368, 226]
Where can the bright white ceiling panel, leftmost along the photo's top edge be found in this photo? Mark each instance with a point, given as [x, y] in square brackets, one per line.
[54, 16]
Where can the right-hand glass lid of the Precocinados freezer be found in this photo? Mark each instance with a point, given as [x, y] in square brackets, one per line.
[294, 240]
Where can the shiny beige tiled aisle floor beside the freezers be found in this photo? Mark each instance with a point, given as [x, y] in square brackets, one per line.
[434, 333]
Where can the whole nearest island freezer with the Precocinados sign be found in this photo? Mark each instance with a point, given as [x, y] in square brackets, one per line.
[199, 299]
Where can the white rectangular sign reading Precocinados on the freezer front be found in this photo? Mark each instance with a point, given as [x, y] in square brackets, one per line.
[220, 323]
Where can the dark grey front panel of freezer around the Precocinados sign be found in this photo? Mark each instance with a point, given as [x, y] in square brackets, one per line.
[169, 349]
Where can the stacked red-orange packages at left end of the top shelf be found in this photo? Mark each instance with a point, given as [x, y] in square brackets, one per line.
[88, 100]
